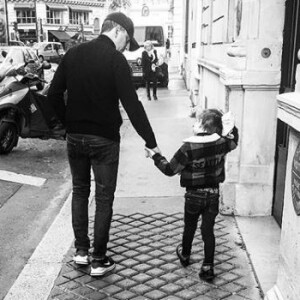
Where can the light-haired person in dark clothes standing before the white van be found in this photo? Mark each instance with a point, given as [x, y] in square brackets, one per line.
[149, 64]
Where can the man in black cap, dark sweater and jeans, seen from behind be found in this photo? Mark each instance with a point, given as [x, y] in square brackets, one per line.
[96, 75]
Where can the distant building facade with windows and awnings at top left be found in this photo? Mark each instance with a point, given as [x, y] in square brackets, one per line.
[54, 20]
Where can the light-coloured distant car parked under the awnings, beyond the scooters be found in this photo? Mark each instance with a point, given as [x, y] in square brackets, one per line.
[50, 51]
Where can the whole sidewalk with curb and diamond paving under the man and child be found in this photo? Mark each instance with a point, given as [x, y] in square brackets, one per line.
[146, 228]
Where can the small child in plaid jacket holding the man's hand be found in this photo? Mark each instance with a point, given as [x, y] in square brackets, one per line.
[200, 160]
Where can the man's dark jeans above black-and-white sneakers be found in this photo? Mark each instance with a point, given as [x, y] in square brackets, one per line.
[102, 155]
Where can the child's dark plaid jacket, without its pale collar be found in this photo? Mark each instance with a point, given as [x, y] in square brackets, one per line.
[200, 164]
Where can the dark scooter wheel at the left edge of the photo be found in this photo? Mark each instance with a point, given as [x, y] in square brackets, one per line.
[8, 137]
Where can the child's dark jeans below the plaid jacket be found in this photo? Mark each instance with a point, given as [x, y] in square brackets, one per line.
[198, 203]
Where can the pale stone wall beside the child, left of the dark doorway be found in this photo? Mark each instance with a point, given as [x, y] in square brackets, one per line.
[234, 74]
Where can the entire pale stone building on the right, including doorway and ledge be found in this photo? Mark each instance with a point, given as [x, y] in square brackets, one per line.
[242, 55]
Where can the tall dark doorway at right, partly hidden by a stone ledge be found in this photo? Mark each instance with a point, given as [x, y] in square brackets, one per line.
[290, 48]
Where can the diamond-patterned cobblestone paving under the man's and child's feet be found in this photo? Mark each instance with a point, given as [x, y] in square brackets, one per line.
[143, 247]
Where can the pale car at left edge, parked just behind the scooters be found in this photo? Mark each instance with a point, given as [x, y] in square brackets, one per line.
[17, 56]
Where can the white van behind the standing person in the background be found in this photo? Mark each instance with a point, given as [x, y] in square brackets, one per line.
[156, 35]
